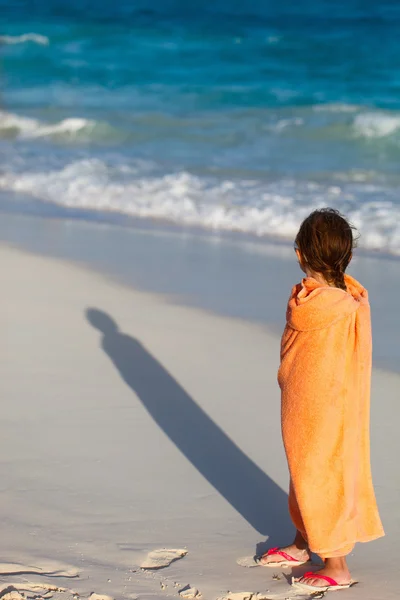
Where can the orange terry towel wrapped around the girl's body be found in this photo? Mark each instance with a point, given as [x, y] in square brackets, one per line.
[325, 377]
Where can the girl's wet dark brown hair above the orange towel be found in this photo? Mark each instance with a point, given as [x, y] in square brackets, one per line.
[325, 240]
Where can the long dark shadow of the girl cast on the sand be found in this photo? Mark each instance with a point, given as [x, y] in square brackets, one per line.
[233, 474]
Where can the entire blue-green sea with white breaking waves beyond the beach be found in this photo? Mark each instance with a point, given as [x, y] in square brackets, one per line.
[225, 115]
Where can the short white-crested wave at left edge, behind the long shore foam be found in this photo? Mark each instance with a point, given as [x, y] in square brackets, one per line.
[70, 128]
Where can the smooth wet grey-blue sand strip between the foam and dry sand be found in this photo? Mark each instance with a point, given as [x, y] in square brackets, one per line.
[250, 282]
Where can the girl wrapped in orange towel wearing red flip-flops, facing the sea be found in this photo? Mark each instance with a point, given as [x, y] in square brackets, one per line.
[324, 377]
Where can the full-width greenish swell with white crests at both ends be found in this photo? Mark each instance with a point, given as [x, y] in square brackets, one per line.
[312, 124]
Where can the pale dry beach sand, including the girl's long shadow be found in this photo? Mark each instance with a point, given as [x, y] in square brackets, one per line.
[164, 434]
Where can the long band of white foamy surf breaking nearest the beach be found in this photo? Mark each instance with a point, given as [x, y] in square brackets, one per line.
[248, 206]
